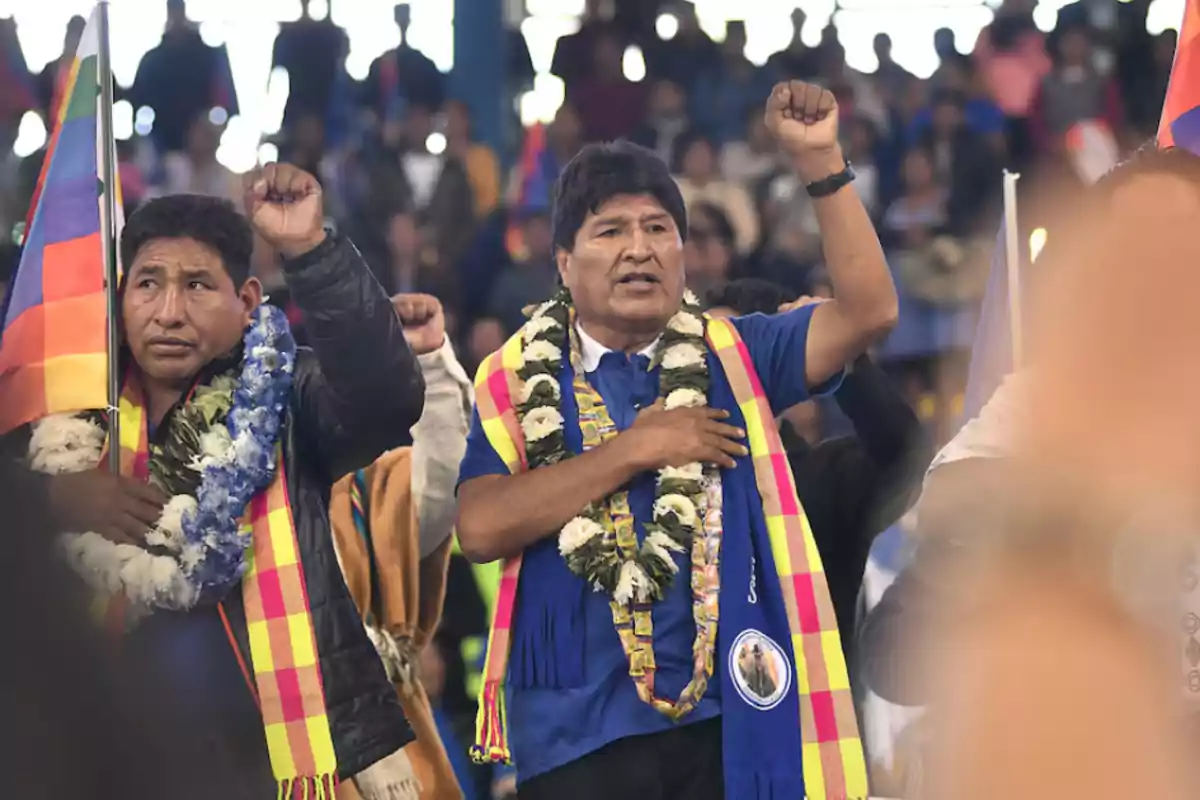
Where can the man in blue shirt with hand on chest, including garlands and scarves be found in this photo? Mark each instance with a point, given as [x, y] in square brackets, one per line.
[599, 461]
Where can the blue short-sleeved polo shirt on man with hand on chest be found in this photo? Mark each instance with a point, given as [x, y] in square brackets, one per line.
[549, 729]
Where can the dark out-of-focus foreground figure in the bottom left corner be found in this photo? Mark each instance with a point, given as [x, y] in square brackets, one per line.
[77, 724]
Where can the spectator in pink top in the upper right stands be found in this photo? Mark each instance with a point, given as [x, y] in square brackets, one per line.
[1011, 56]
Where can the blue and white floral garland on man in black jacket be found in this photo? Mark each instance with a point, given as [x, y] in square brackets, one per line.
[219, 453]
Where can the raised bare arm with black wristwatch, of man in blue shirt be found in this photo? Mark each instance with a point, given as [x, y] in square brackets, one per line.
[805, 121]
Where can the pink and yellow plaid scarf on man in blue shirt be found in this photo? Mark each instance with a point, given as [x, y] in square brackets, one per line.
[835, 766]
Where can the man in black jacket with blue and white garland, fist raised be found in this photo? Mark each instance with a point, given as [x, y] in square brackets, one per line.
[225, 420]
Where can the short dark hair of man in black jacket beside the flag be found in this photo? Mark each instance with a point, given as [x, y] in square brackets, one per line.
[208, 220]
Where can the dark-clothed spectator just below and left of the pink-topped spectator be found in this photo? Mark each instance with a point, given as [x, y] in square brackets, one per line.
[963, 163]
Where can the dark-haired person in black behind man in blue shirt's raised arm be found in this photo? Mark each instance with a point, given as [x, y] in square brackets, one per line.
[851, 488]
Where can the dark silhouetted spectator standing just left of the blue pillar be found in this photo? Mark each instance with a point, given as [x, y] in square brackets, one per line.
[404, 76]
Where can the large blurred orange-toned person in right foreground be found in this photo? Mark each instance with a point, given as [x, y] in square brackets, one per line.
[1049, 645]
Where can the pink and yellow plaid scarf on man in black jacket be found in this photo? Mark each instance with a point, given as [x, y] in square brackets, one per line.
[286, 678]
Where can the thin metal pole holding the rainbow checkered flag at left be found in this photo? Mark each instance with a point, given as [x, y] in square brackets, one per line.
[109, 234]
